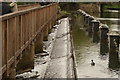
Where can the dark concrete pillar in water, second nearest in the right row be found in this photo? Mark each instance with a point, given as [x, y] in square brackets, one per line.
[104, 40]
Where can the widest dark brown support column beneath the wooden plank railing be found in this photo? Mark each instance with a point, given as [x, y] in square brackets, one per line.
[27, 61]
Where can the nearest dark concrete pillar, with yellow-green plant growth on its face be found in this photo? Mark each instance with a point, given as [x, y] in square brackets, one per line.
[114, 50]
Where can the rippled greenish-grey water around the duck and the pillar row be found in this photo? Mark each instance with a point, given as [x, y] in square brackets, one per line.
[85, 50]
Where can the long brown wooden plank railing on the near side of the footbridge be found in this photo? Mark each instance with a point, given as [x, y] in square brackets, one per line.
[20, 28]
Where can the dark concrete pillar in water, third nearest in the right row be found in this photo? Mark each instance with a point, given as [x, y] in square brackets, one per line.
[95, 27]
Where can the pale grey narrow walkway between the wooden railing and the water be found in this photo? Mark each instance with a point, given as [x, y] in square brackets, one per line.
[60, 65]
